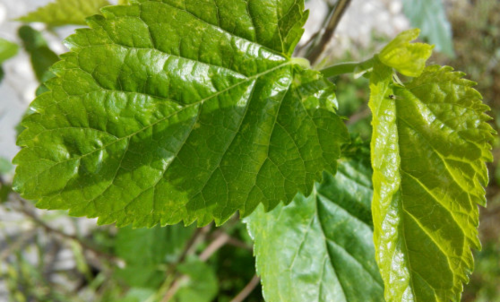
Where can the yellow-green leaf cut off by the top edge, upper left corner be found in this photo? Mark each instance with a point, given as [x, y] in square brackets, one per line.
[65, 12]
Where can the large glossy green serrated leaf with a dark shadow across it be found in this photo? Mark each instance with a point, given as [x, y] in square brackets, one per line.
[179, 110]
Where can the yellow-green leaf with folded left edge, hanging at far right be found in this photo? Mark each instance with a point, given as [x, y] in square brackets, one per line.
[429, 147]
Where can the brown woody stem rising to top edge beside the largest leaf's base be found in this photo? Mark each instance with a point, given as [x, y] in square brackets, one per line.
[318, 48]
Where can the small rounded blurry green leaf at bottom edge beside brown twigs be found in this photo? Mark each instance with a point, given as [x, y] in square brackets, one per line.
[199, 286]
